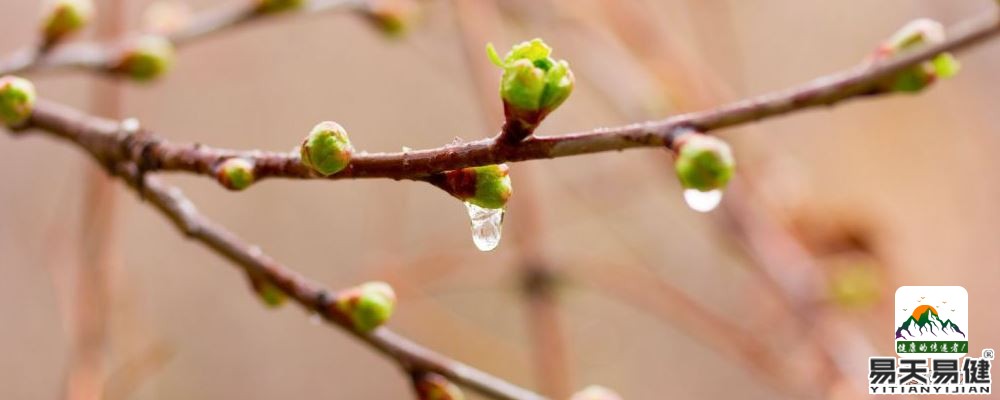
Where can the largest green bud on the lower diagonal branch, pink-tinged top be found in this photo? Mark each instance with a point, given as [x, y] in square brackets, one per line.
[367, 306]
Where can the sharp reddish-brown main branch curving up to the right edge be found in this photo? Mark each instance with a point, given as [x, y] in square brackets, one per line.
[102, 136]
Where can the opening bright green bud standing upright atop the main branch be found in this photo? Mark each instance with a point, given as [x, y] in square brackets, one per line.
[533, 83]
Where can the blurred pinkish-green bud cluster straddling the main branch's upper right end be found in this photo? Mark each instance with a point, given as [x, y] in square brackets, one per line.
[912, 36]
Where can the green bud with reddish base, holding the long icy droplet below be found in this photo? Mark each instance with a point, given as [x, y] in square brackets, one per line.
[487, 186]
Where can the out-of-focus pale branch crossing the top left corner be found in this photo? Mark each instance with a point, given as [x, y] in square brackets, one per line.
[100, 56]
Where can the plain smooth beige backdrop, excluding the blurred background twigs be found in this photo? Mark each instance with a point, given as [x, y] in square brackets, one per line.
[916, 172]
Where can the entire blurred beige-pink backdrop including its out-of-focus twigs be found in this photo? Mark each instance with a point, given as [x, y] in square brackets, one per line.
[604, 275]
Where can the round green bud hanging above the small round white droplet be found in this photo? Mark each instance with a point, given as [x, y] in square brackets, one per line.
[703, 162]
